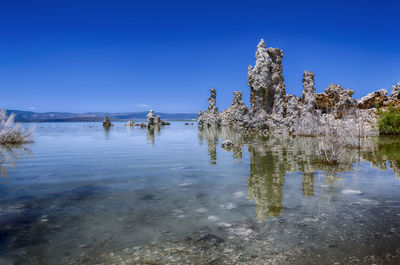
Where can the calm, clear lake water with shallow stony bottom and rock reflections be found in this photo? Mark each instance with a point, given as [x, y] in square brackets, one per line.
[80, 194]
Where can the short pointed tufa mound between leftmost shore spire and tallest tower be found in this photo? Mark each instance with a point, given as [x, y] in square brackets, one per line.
[237, 113]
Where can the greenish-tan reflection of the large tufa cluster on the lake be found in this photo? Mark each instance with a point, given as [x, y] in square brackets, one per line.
[271, 158]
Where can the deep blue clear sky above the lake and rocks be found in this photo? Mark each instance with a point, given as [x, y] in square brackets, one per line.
[113, 56]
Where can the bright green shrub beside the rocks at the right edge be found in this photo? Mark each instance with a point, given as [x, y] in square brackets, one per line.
[389, 121]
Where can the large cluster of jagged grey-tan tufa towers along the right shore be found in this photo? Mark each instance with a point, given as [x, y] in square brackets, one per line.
[272, 110]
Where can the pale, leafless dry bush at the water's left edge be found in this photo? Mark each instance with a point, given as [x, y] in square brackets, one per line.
[11, 133]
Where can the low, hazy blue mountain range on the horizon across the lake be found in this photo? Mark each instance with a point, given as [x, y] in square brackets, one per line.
[29, 116]
